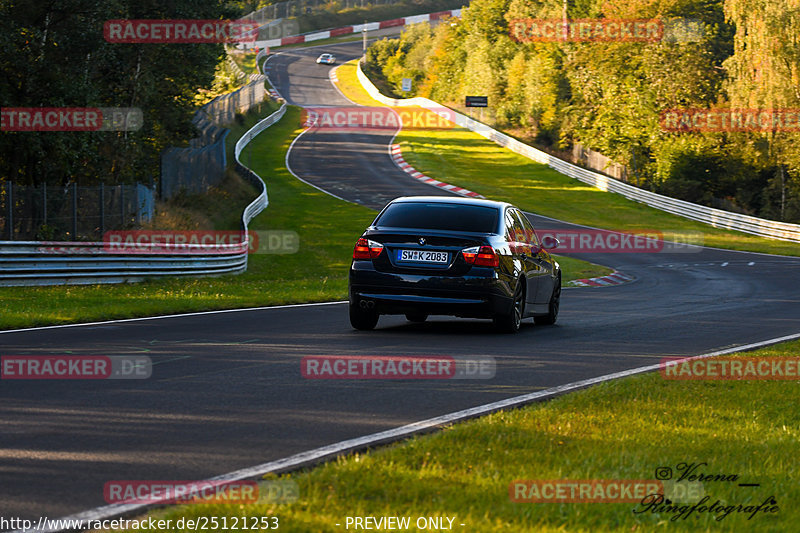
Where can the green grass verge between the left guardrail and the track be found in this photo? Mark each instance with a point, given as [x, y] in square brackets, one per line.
[327, 229]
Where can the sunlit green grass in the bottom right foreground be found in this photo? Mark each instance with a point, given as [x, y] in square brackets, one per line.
[624, 429]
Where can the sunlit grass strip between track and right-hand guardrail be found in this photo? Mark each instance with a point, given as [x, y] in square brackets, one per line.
[466, 159]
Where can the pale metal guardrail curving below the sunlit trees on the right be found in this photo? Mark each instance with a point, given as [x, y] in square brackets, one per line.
[709, 215]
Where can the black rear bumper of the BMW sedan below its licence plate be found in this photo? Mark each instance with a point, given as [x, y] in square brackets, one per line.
[482, 295]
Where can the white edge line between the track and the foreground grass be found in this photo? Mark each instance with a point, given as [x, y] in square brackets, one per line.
[318, 455]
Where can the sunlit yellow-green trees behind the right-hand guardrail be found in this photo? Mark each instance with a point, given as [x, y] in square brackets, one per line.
[612, 95]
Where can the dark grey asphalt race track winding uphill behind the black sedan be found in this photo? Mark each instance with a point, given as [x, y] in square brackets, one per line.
[226, 390]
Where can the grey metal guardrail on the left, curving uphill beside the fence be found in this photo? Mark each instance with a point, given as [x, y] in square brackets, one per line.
[56, 263]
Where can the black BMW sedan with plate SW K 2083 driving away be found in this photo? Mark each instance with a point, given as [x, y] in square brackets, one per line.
[433, 255]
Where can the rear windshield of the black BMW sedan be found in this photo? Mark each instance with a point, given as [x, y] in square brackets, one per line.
[440, 216]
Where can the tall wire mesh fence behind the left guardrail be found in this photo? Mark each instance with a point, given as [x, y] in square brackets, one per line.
[85, 213]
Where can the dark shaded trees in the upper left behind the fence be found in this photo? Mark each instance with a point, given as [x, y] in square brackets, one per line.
[55, 55]
